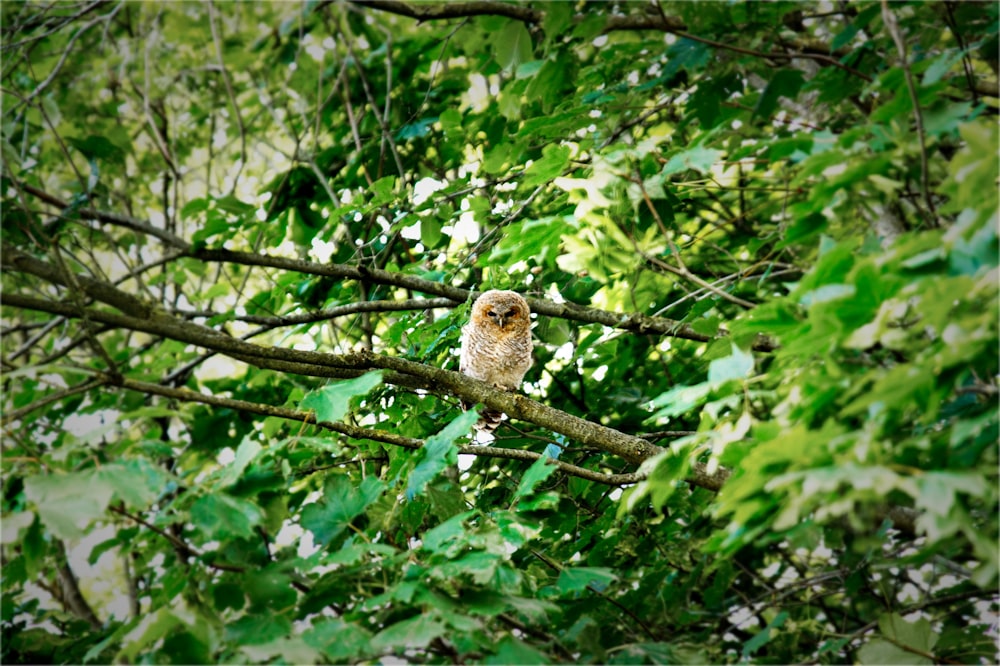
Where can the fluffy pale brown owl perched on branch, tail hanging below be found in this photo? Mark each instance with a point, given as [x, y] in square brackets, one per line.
[496, 345]
